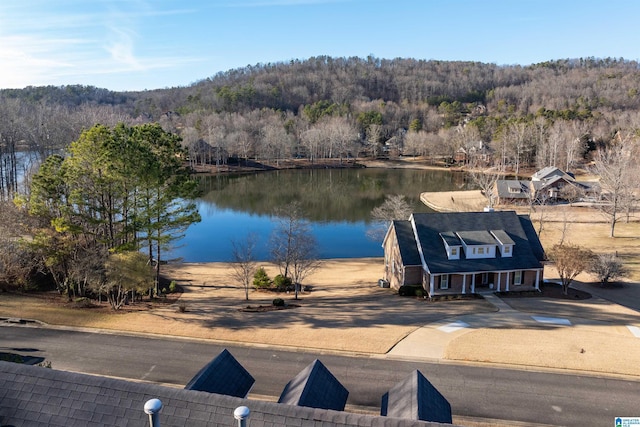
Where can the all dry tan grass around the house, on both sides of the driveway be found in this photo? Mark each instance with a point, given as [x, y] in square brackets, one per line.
[347, 311]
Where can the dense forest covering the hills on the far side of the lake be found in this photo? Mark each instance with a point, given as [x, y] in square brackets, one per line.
[553, 113]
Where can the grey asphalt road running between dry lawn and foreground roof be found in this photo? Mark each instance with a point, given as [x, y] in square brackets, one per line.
[479, 392]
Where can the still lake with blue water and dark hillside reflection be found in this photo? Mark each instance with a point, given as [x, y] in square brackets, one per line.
[336, 202]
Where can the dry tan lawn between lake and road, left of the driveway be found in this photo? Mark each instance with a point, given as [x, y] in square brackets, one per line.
[345, 310]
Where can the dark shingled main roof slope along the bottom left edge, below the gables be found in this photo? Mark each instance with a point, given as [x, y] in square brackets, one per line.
[36, 396]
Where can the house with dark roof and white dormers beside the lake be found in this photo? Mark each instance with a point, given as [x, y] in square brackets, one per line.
[464, 252]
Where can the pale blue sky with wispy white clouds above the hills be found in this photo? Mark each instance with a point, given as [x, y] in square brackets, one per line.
[126, 45]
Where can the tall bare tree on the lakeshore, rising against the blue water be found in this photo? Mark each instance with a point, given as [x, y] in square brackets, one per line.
[293, 246]
